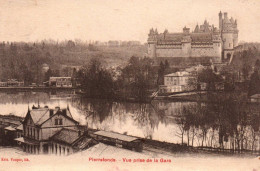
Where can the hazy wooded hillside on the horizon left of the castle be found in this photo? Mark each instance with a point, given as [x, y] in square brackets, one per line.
[24, 61]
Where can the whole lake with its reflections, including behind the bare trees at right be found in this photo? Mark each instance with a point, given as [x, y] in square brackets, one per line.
[197, 124]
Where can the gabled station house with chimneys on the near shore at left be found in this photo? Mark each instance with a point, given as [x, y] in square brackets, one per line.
[51, 131]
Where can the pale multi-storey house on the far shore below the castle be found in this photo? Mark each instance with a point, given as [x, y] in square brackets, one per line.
[175, 82]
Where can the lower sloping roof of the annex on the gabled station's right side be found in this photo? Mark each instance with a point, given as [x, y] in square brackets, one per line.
[67, 136]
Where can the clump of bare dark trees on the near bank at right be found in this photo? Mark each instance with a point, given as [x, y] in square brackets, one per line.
[230, 119]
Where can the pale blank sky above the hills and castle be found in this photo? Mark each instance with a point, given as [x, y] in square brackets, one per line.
[103, 20]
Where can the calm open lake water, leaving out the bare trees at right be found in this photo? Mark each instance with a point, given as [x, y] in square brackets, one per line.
[158, 121]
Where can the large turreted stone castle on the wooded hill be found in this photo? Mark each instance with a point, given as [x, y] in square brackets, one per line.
[206, 41]
